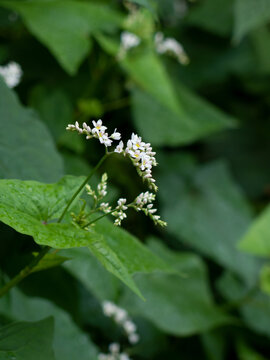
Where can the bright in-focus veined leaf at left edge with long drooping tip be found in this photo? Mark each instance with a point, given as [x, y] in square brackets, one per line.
[29, 207]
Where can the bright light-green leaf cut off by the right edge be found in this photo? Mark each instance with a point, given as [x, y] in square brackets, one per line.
[257, 238]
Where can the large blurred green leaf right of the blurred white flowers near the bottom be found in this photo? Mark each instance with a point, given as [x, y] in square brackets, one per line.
[172, 301]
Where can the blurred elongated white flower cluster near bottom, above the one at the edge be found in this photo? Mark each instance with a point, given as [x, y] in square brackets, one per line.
[120, 316]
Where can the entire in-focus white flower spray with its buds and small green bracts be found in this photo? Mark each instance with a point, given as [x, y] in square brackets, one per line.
[142, 157]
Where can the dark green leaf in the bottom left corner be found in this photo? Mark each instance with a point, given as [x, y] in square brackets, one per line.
[27, 340]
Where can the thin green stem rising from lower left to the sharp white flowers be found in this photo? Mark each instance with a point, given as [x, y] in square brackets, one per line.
[28, 269]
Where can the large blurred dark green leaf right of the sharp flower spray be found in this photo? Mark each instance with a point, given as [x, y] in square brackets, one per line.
[205, 209]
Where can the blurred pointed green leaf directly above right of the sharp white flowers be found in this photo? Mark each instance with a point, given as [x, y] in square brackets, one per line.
[162, 126]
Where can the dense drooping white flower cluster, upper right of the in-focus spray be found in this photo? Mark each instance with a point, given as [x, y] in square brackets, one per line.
[142, 156]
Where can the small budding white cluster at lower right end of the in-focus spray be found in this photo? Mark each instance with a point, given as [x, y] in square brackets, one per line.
[144, 202]
